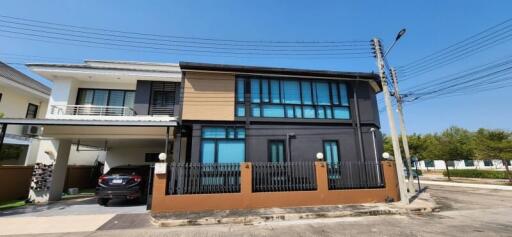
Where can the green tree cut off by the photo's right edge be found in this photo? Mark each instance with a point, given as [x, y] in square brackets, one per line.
[494, 144]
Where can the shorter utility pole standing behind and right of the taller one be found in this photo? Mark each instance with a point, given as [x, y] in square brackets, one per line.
[402, 129]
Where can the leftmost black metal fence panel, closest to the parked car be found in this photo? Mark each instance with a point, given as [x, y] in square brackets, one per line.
[196, 178]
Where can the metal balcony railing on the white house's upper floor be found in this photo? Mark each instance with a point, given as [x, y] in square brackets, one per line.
[92, 110]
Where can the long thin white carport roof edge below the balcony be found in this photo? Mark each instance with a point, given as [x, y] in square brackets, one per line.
[69, 122]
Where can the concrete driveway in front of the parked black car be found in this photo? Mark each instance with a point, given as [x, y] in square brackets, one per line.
[77, 215]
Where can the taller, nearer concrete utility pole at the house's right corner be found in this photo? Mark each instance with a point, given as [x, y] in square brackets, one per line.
[394, 137]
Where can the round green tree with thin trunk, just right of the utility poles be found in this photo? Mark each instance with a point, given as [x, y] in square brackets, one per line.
[453, 144]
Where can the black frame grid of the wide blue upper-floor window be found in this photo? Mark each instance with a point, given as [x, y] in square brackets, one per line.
[326, 110]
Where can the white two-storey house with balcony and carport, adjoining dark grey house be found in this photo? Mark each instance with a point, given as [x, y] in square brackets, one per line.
[126, 110]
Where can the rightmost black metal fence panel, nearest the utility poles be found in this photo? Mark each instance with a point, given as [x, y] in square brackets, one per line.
[355, 174]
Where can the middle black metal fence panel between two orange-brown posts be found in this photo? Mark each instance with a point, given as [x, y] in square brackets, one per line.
[279, 177]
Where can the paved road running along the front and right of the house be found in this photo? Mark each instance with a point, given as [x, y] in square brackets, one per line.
[465, 212]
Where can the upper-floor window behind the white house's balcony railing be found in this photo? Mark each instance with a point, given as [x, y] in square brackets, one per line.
[104, 97]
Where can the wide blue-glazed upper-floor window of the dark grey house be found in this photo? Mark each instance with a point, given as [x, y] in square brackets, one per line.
[289, 98]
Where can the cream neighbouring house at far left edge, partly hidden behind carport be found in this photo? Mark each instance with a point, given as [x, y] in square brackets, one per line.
[24, 97]
